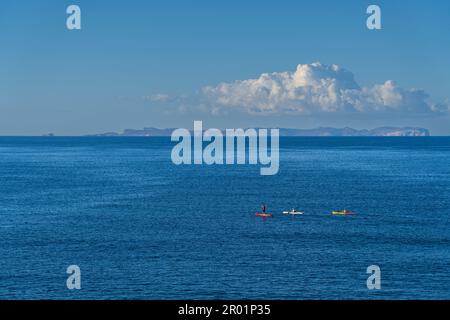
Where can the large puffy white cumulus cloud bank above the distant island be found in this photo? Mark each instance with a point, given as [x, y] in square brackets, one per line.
[317, 89]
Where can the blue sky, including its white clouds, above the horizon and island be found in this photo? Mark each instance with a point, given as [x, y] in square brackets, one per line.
[141, 63]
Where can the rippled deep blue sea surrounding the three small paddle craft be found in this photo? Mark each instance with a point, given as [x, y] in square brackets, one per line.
[140, 227]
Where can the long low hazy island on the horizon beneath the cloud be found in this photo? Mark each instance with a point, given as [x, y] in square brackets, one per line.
[317, 132]
